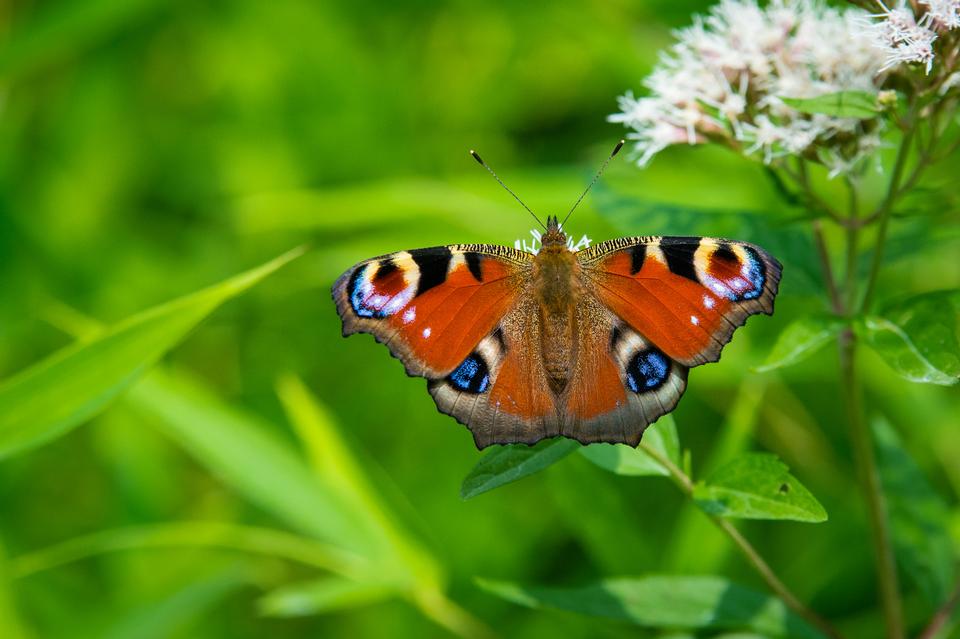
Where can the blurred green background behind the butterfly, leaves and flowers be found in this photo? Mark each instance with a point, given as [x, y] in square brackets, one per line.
[149, 148]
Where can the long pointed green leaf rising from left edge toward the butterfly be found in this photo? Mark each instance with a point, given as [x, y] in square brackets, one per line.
[61, 392]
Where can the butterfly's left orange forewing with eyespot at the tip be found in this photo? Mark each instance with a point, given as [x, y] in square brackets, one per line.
[431, 307]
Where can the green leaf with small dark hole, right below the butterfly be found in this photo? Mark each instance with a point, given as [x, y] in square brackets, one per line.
[757, 486]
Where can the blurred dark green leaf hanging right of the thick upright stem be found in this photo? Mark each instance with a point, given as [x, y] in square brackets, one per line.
[919, 518]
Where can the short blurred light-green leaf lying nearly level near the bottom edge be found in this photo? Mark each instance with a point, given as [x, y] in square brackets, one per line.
[321, 595]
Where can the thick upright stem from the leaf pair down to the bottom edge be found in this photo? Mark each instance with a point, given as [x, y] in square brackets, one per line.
[869, 480]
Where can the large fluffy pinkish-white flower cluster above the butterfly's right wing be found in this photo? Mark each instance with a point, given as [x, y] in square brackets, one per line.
[726, 77]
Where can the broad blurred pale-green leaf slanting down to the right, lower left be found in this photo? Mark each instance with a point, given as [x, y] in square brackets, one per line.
[247, 455]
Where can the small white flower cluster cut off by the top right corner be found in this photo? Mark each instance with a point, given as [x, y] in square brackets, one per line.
[904, 38]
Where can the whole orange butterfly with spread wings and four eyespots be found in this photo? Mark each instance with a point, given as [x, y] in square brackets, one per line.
[593, 344]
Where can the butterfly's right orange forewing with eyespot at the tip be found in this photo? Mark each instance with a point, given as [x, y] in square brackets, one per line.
[685, 295]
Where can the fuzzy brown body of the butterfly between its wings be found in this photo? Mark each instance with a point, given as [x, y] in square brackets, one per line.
[556, 283]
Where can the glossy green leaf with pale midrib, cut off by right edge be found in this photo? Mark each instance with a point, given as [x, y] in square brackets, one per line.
[920, 337]
